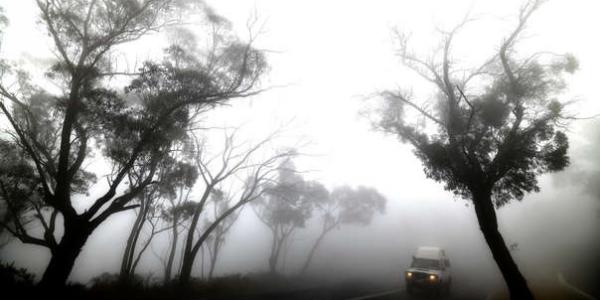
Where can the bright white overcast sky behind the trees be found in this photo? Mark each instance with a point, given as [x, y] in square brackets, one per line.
[328, 60]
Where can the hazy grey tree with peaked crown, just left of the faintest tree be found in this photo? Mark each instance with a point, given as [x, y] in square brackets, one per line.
[286, 206]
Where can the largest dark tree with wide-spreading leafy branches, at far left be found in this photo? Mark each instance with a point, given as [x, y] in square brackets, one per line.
[54, 133]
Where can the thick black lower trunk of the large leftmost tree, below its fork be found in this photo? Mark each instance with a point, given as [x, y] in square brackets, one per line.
[64, 255]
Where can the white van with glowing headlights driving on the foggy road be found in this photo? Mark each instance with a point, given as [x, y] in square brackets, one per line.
[429, 270]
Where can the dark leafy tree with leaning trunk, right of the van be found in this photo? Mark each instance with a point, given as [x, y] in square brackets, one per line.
[496, 129]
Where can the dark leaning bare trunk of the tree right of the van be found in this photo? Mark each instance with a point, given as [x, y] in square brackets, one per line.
[488, 223]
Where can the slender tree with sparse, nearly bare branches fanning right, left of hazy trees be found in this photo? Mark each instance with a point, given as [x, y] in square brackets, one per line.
[234, 161]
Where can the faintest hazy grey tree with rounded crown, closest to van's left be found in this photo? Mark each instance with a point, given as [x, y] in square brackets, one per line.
[345, 206]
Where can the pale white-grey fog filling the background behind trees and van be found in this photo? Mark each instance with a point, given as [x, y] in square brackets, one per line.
[327, 62]
